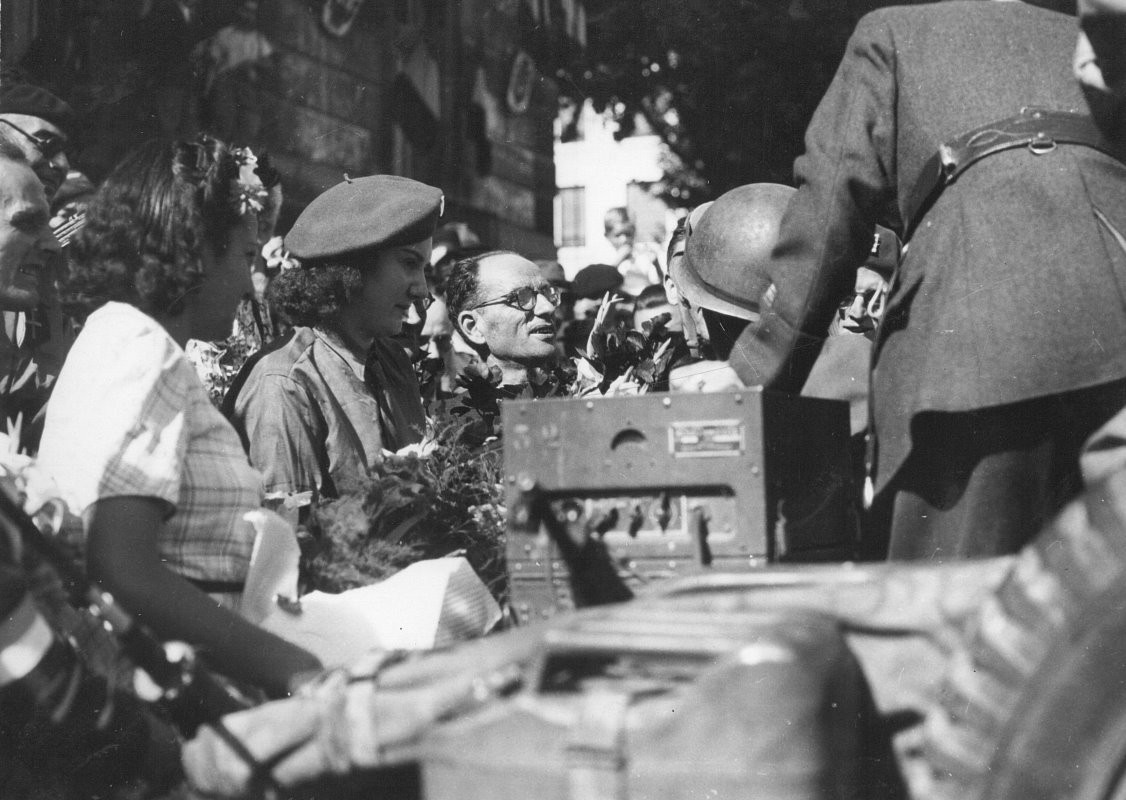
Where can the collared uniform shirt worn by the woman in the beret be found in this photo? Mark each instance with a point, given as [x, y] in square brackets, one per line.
[315, 419]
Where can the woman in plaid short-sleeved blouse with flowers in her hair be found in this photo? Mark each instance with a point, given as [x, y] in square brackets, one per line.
[132, 439]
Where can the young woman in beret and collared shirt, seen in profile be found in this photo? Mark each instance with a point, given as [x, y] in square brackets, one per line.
[323, 407]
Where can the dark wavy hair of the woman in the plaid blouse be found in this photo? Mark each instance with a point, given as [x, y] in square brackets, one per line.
[148, 225]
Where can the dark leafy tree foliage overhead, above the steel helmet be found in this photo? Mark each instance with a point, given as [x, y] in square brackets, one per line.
[729, 85]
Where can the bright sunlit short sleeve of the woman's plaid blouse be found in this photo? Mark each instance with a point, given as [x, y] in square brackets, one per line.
[117, 422]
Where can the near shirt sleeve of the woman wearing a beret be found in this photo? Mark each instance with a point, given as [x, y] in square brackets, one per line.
[284, 432]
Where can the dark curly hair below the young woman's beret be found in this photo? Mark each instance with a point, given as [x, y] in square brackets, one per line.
[316, 296]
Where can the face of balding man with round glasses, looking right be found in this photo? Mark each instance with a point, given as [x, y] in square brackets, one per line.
[512, 334]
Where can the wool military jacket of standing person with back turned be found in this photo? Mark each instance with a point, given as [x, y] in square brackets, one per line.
[1013, 287]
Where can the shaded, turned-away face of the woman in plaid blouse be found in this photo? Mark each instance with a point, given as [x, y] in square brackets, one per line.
[227, 281]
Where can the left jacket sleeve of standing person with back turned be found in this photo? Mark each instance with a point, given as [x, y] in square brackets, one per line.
[845, 179]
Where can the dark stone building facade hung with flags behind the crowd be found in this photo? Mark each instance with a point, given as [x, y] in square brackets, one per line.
[460, 94]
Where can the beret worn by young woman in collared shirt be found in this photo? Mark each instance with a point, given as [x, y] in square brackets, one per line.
[364, 214]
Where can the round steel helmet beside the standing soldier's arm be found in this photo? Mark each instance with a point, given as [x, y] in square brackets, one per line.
[728, 250]
